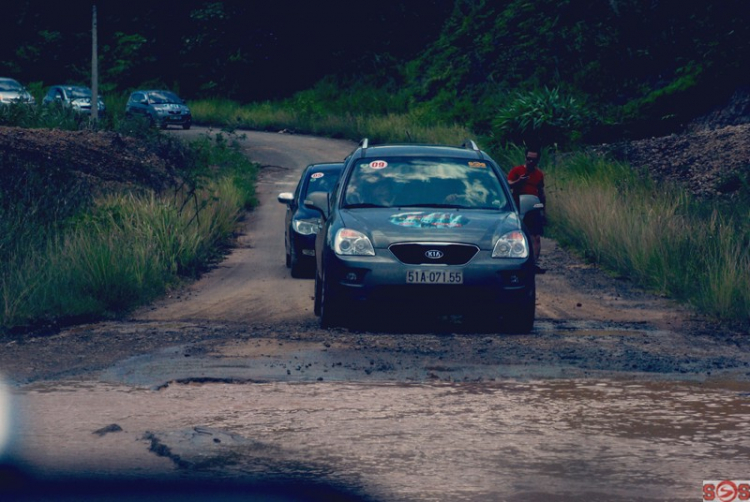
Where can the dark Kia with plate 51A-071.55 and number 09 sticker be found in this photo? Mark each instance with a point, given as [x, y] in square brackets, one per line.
[423, 227]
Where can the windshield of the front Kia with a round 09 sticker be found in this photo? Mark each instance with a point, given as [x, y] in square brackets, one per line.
[424, 182]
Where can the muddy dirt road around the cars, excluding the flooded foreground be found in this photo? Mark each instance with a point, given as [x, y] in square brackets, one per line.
[249, 311]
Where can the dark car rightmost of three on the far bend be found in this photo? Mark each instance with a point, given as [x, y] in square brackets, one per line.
[161, 108]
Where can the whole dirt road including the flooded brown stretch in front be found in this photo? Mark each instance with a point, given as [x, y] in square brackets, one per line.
[232, 377]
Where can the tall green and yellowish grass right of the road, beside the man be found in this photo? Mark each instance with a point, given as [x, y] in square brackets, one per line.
[660, 236]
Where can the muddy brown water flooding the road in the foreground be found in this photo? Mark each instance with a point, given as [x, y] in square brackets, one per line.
[512, 440]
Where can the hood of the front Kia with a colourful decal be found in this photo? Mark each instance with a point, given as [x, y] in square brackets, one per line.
[386, 226]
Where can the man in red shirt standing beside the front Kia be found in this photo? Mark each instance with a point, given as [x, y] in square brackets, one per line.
[529, 179]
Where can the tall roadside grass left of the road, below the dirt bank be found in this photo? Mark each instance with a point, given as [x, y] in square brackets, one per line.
[123, 249]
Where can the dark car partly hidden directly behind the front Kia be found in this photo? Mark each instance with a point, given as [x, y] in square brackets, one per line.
[301, 223]
